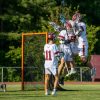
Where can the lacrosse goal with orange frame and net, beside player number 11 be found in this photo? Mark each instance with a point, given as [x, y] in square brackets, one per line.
[33, 60]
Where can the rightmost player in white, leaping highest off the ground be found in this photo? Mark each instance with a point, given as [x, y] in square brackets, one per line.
[82, 37]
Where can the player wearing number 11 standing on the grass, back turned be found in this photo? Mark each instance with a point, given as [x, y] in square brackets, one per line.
[51, 62]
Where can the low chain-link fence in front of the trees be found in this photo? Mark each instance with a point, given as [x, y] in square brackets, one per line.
[13, 74]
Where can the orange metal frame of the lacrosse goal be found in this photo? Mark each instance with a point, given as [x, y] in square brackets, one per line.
[22, 53]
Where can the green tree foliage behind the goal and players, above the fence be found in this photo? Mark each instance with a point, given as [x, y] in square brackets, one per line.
[17, 16]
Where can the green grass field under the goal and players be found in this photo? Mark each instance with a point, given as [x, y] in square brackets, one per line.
[73, 92]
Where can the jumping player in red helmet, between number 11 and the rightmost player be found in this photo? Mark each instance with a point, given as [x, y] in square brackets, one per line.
[67, 38]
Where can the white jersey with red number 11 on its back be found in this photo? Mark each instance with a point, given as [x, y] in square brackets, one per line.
[50, 50]
